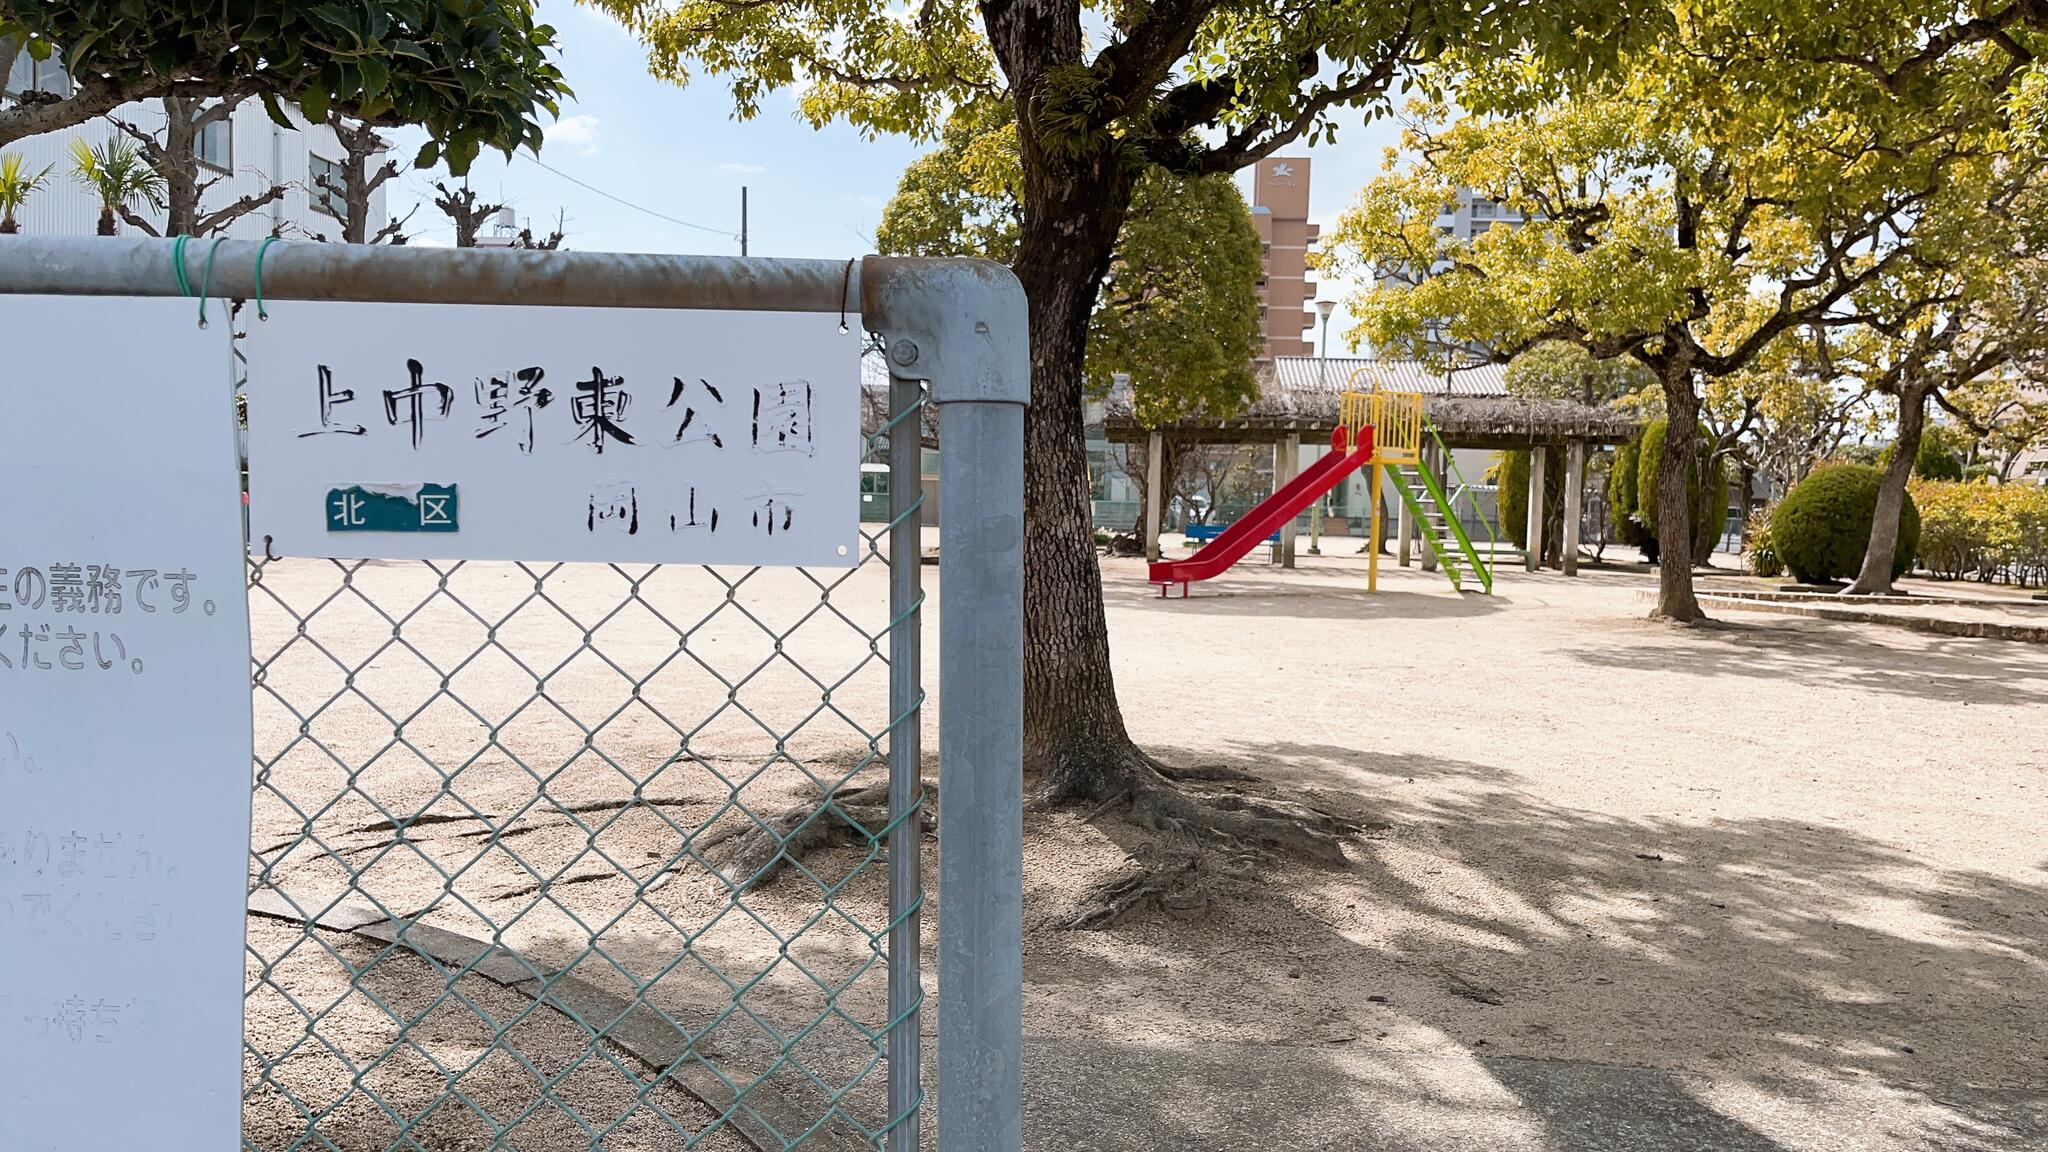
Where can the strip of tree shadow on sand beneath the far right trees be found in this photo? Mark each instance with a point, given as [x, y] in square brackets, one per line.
[1801, 653]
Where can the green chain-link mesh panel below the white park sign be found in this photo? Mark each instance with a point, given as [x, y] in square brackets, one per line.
[581, 856]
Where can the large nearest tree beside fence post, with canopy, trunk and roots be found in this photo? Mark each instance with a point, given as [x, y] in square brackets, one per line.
[1195, 87]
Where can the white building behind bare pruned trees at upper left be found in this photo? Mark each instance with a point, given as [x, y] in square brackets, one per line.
[247, 153]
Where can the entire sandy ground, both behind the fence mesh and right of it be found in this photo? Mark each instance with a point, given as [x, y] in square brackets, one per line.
[1764, 887]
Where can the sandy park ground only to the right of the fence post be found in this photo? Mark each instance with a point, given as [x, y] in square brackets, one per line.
[1775, 852]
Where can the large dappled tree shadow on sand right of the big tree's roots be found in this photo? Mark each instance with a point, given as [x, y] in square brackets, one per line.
[1506, 925]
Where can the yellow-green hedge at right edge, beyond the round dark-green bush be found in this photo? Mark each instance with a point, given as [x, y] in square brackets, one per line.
[1994, 532]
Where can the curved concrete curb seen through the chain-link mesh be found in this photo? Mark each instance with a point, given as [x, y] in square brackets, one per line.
[761, 1112]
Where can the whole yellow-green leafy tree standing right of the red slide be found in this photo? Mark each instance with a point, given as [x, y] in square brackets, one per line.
[1684, 212]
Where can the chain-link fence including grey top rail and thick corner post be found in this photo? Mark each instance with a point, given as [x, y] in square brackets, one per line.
[630, 856]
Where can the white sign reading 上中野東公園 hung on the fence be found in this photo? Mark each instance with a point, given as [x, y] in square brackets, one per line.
[415, 431]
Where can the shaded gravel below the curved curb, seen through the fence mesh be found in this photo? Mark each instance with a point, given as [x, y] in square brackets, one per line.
[361, 1048]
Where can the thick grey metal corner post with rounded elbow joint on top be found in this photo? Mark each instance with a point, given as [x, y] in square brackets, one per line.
[966, 329]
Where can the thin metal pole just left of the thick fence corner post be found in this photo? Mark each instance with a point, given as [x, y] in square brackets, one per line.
[906, 788]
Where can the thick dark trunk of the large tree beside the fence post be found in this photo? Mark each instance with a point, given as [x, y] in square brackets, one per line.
[1074, 733]
